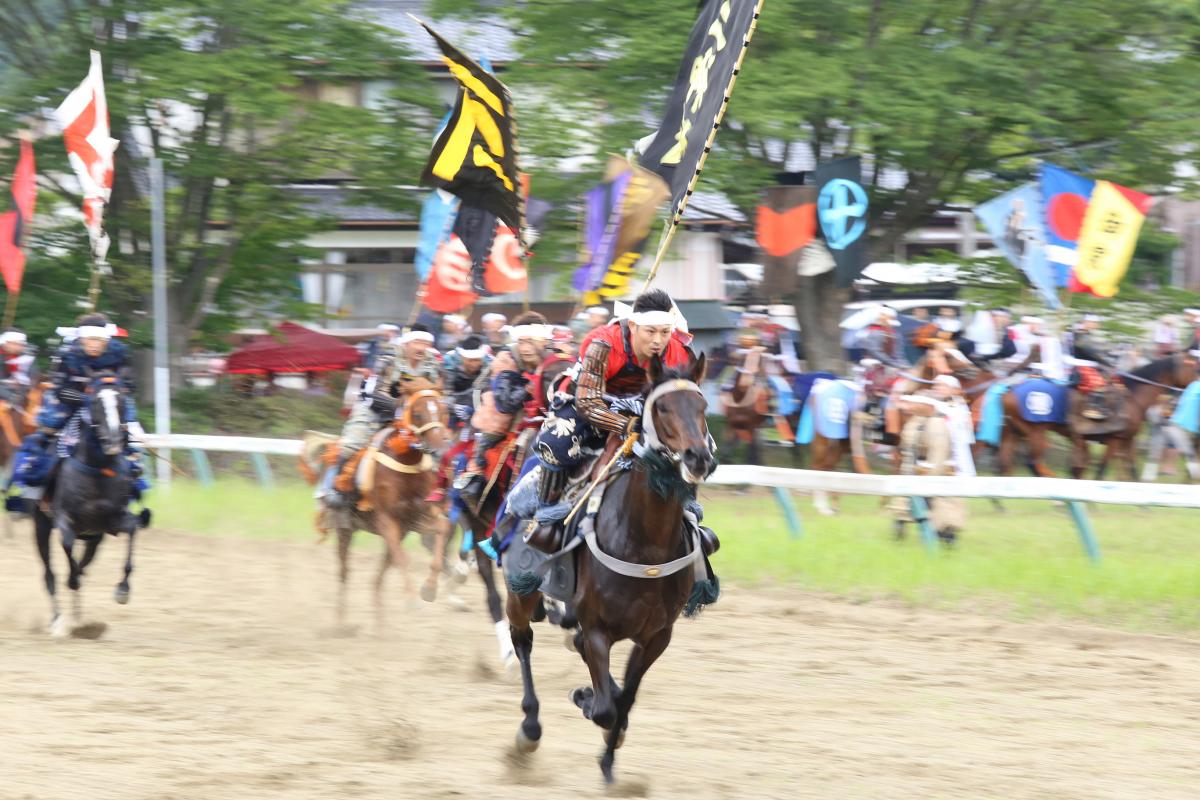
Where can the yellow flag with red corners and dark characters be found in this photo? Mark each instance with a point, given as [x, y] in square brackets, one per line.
[1108, 238]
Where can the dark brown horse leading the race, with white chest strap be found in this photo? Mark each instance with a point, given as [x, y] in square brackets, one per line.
[639, 531]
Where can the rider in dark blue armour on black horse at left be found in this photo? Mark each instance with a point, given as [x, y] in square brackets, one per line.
[92, 352]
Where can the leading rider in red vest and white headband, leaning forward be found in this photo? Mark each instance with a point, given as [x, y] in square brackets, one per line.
[613, 365]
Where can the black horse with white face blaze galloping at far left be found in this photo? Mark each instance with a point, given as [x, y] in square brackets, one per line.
[87, 498]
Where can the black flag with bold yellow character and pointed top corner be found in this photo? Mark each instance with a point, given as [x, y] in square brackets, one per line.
[476, 154]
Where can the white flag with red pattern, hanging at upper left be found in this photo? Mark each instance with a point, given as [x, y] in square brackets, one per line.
[85, 119]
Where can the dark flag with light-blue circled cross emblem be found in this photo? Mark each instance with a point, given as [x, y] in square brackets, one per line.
[842, 216]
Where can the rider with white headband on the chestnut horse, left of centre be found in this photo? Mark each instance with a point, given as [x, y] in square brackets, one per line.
[411, 356]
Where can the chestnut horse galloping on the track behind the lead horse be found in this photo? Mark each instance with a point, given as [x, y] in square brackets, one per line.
[399, 477]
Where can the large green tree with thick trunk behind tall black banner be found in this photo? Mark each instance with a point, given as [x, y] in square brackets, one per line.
[949, 101]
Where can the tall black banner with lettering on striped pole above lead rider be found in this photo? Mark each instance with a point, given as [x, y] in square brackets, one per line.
[697, 107]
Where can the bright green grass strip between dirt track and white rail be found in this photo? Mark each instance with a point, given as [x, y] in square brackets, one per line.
[1027, 563]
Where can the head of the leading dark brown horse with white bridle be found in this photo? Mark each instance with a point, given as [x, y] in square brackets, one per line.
[674, 423]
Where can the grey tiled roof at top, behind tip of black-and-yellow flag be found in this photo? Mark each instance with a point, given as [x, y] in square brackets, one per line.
[488, 37]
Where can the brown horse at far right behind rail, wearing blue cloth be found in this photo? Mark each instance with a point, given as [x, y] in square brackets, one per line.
[1143, 388]
